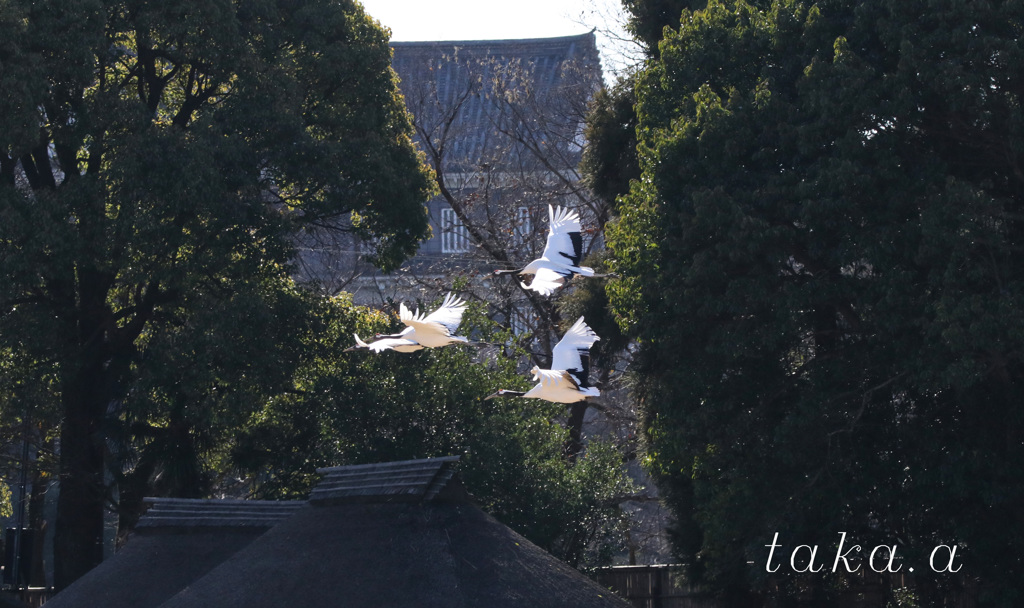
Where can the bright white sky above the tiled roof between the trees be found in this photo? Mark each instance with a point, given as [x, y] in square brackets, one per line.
[484, 20]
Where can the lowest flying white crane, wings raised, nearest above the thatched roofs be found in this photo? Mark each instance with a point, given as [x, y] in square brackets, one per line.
[567, 381]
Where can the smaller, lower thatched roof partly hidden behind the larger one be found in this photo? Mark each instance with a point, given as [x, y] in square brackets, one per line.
[177, 542]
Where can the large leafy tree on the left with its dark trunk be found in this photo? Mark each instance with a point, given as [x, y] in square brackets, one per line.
[156, 158]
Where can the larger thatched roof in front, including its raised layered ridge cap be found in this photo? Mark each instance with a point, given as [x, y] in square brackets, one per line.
[398, 535]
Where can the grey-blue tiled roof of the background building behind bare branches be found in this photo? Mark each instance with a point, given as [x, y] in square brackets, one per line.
[438, 77]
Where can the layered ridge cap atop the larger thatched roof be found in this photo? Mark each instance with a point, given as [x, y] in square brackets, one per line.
[403, 481]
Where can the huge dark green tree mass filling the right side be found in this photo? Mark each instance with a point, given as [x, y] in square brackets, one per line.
[821, 262]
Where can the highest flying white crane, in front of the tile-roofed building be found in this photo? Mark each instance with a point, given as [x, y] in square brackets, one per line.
[561, 260]
